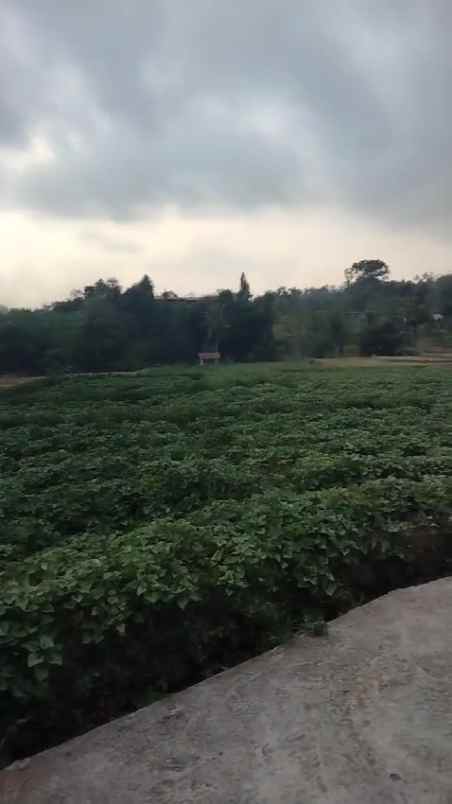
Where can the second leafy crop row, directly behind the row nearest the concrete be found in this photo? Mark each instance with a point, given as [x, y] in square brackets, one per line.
[105, 495]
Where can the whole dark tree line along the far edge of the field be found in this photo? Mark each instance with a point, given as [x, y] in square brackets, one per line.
[106, 328]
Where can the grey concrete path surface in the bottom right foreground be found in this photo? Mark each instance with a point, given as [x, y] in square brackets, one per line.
[362, 715]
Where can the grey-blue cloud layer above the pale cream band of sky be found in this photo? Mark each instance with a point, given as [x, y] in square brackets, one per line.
[201, 105]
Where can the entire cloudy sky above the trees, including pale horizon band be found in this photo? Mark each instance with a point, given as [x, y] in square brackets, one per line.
[196, 140]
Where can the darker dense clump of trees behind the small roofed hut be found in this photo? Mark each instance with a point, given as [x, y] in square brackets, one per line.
[104, 328]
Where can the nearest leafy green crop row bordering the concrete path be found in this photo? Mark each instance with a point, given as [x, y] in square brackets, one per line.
[89, 626]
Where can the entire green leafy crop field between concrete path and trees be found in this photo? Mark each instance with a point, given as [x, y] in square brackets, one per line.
[157, 528]
